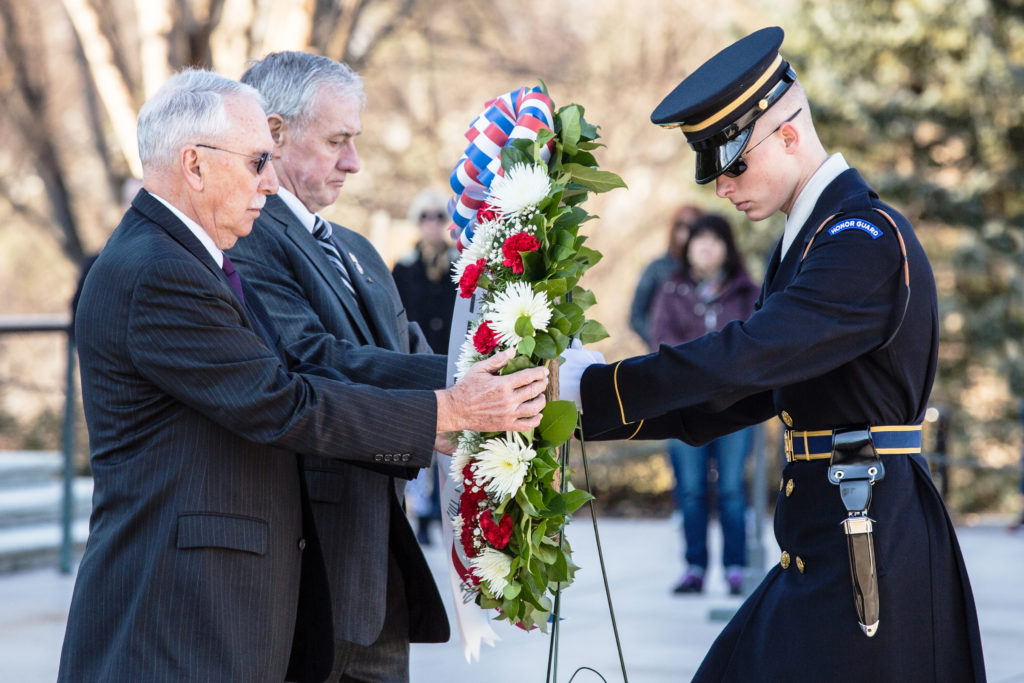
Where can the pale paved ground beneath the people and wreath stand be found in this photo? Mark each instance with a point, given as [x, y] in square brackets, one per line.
[664, 637]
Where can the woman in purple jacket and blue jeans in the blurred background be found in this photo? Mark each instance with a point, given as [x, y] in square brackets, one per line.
[710, 289]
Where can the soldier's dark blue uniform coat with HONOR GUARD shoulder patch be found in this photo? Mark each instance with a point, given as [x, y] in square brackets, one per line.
[816, 355]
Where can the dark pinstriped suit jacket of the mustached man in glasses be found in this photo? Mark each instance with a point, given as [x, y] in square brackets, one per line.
[194, 570]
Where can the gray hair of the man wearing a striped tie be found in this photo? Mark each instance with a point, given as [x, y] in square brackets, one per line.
[289, 81]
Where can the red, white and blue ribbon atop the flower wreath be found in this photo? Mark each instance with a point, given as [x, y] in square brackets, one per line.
[518, 115]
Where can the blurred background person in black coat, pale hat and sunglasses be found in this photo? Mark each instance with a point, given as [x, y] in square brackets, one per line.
[424, 281]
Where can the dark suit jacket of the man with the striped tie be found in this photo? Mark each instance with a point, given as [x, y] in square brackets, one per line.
[358, 511]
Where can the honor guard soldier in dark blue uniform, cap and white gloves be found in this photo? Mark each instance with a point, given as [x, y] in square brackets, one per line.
[842, 349]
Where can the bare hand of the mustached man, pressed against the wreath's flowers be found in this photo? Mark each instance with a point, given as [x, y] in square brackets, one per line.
[486, 403]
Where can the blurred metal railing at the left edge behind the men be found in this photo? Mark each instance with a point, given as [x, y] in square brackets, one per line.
[59, 324]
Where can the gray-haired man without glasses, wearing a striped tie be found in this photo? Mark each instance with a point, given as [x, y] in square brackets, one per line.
[329, 291]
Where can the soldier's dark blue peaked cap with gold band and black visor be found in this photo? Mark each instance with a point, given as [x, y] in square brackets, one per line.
[717, 106]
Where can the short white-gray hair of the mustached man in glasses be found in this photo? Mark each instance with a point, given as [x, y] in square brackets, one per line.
[190, 108]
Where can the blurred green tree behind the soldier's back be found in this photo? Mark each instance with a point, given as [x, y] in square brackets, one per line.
[925, 98]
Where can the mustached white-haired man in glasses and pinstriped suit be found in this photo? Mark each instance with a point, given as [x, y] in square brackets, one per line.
[202, 562]
